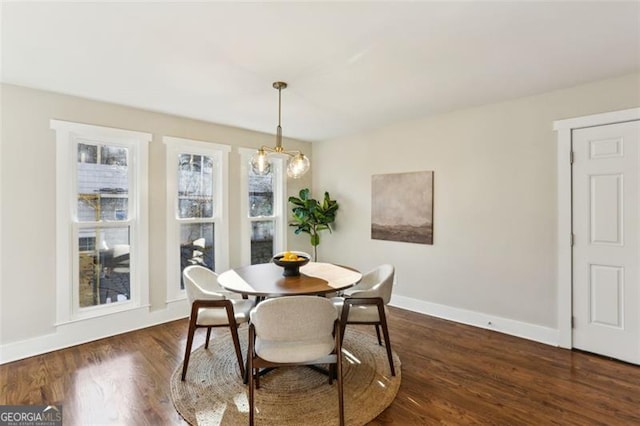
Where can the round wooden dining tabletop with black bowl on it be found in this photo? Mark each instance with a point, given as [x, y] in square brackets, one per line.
[267, 280]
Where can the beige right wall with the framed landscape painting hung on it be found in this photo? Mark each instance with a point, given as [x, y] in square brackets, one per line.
[494, 250]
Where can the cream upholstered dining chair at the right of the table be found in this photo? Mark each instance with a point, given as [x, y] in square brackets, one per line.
[365, 303]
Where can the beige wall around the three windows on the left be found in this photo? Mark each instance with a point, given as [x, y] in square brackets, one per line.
[27, 285]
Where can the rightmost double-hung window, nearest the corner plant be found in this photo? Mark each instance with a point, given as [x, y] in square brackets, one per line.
[262, 207]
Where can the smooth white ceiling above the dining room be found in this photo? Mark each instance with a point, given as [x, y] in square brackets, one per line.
[350, 66]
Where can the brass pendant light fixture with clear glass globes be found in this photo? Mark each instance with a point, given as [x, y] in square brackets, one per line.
[298, 163]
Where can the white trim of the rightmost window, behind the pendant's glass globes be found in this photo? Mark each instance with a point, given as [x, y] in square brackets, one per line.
[279, 204]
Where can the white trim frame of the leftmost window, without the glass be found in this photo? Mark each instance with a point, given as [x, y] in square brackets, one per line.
[67, 134]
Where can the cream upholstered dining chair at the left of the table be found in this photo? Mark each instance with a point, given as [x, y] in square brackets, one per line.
[211, 307]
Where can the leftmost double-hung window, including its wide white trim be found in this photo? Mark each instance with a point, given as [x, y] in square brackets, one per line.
[102, 219]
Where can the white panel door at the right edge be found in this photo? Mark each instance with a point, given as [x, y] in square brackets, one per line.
[606, 288]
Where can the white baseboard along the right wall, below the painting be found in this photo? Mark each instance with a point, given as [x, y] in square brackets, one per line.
[549, 336]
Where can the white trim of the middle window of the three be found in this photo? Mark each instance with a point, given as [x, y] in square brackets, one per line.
[174, 147]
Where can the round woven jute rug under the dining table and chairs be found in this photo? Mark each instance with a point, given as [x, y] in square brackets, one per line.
[213, 392]
